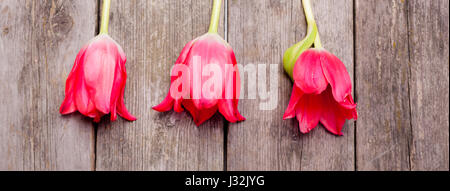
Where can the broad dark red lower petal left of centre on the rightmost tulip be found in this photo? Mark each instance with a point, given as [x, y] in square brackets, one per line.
[308, 111]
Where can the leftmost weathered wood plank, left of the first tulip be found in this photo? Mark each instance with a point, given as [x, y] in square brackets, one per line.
[38, 44]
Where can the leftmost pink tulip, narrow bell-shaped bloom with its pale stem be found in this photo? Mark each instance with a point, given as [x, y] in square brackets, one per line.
[96, 84]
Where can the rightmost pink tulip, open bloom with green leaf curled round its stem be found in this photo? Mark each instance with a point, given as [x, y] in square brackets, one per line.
[322, 86]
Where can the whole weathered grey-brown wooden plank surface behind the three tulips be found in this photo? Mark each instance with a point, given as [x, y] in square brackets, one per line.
[396, 51]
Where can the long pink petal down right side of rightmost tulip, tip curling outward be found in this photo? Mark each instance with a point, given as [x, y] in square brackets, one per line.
[338, 77]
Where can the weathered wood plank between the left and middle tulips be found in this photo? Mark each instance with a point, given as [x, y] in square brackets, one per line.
[152, 34]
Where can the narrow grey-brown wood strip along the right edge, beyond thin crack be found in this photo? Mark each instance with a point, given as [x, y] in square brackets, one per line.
[429, 82]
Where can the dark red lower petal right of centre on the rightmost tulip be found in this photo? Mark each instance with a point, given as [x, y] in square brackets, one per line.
[333, 118]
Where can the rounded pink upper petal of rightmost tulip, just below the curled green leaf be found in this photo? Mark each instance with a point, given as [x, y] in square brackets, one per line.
[308, 74]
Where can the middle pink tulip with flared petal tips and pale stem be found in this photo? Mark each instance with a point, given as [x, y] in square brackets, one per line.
[209, 80]
